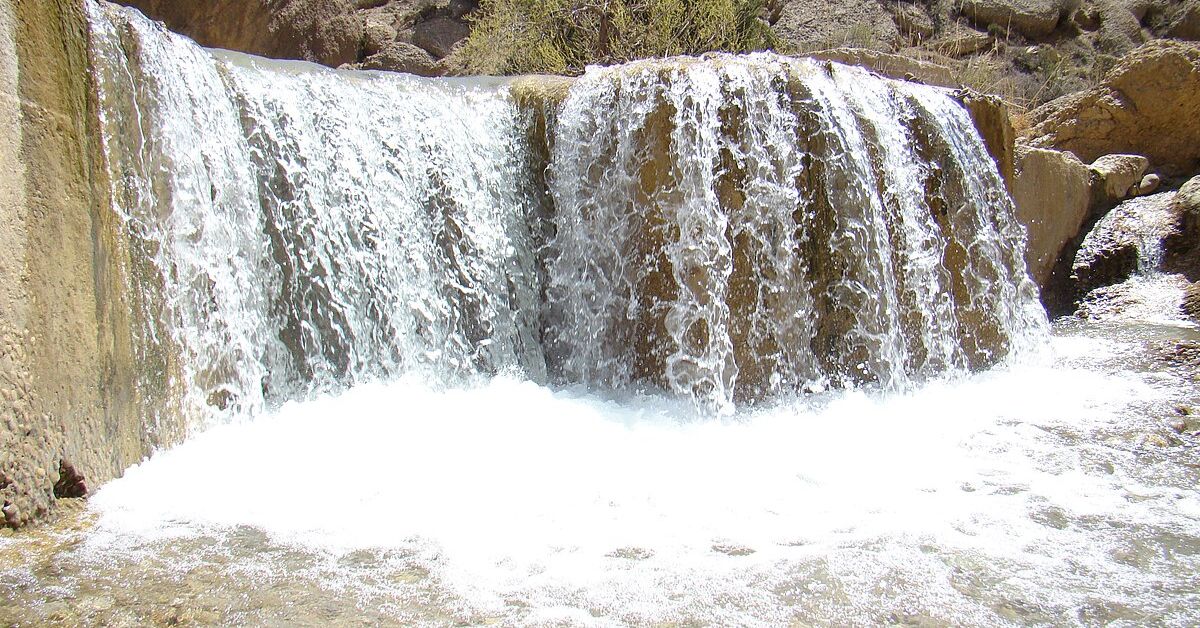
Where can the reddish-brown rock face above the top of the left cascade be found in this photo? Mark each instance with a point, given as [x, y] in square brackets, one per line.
[326, 32]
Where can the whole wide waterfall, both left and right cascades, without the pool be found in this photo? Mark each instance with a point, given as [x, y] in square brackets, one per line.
[723, 230]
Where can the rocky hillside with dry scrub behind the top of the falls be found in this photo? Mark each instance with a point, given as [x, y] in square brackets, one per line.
[1028, 51]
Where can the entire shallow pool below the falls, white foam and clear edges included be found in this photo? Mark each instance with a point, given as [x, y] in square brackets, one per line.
[1055, 489]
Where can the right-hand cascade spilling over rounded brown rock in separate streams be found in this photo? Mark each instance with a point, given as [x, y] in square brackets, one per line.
[739, 228]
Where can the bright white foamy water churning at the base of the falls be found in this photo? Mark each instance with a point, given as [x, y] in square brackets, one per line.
[569, 504]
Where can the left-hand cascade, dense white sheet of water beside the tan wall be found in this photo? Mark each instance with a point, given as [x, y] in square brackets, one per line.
[313, 230]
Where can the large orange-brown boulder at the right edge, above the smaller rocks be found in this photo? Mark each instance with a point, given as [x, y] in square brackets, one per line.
[1148, 105]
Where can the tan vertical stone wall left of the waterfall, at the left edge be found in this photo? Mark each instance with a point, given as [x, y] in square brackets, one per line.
[71, 405]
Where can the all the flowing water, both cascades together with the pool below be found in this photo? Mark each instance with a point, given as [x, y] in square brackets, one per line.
[418, 397]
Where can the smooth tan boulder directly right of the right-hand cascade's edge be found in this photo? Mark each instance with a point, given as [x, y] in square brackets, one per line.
[1053, 195]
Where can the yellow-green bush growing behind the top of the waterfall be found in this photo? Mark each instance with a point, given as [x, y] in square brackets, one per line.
[565, 37]
